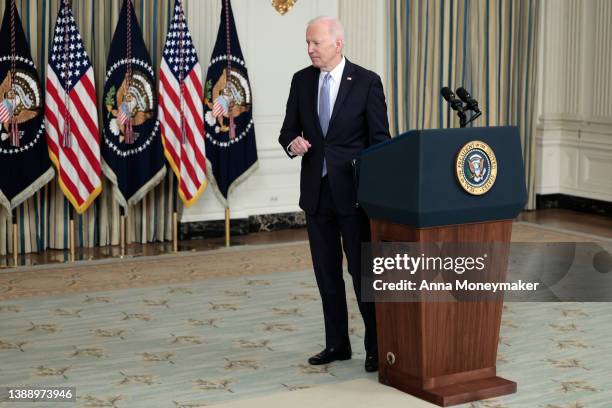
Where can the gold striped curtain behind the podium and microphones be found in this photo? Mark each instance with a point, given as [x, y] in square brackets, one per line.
[487, 46]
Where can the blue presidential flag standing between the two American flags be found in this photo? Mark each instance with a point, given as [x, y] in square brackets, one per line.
[131, 149]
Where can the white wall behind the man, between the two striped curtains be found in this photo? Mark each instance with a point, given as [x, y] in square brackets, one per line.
[274, 47]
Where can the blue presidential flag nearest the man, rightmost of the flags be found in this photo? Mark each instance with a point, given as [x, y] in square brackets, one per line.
[230, 134]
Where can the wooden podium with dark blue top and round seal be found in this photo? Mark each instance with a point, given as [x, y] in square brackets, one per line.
[442, 352]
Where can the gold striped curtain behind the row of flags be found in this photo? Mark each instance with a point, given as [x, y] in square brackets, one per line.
[43, 219]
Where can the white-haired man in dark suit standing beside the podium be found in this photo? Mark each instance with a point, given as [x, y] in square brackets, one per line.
[335, 110]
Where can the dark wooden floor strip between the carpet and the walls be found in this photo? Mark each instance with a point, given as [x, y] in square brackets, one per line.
[562, 219]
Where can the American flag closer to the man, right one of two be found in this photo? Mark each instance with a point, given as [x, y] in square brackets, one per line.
[181, 111]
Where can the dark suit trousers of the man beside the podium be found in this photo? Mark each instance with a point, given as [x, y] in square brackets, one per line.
[328, 233]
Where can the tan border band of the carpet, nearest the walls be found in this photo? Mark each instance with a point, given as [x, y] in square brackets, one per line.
[112, 274]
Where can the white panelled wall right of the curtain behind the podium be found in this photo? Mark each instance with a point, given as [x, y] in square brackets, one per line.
[574, 137]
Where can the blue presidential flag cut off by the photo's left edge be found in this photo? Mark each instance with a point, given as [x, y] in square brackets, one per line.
[24, 162]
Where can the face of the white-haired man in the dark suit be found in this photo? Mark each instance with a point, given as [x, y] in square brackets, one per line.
[323, 51]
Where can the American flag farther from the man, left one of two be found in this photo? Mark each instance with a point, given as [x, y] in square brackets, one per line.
[71, 118]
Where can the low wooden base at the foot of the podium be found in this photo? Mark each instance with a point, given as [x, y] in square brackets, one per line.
[461, 393]
